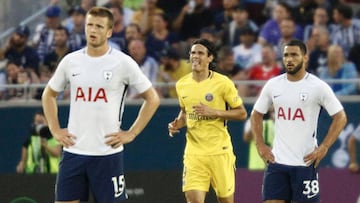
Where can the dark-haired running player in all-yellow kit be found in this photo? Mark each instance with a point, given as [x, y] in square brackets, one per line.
[207, 100]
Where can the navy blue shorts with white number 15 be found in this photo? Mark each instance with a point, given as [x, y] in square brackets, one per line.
[80, 174]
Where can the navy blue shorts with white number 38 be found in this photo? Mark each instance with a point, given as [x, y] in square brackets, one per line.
[291, 183]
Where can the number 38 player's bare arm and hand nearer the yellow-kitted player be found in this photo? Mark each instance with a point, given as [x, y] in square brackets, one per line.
[264, 151]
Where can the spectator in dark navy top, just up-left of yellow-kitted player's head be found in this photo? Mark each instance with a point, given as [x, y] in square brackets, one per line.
[160, 36]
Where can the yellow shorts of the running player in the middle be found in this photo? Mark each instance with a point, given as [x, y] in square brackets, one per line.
[216, 170]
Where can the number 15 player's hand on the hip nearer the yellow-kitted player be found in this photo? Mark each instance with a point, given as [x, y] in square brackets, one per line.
[117, 139]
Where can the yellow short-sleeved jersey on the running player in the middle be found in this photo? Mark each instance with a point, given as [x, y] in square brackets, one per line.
[207, 135]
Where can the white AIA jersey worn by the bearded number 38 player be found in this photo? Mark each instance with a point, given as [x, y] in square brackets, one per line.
[297, 107]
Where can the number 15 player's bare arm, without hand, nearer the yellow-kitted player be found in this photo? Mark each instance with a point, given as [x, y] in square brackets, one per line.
[147, 110]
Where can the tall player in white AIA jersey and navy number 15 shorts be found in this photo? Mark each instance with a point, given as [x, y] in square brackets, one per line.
[98, 76]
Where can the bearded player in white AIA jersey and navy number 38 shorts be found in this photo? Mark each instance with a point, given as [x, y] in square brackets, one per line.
[297, 97]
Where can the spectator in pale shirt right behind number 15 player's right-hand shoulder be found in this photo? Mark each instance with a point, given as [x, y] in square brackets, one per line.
[148, 64]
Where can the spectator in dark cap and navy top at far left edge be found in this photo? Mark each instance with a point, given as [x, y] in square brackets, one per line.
[18, 50]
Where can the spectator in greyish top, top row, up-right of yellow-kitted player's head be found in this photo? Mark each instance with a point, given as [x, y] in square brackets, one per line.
[241, 21]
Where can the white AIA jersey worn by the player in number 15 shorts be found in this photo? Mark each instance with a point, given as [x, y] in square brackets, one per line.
[98, 89]
